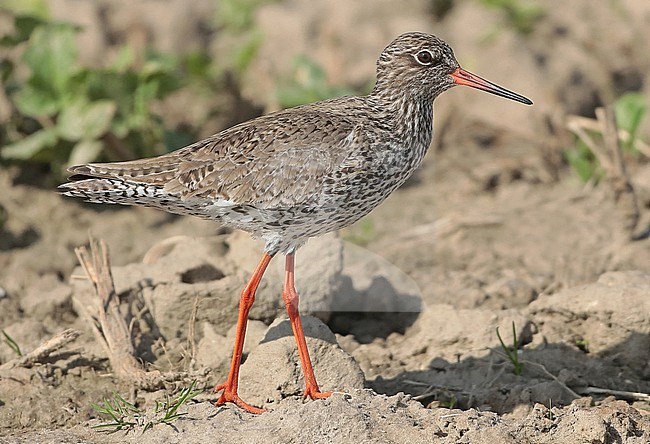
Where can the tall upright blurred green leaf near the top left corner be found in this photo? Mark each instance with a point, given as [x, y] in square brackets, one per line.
[51, 56]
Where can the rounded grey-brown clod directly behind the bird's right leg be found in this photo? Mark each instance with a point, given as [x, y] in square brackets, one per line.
[272, 371]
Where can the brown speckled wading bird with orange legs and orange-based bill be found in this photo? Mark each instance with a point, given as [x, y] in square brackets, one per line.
[297, 173]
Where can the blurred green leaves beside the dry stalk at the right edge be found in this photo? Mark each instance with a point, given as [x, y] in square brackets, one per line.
[630, 109]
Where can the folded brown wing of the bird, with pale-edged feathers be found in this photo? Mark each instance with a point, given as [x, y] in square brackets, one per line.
[275, 161]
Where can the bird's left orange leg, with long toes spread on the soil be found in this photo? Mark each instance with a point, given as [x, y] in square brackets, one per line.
[245, 303]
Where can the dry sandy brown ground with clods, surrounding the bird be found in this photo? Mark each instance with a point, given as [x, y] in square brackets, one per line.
[402, 309]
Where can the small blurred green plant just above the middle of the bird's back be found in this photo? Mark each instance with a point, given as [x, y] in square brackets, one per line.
[308, 83]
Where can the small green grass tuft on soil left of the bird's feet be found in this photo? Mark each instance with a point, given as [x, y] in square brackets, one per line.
[126, 416]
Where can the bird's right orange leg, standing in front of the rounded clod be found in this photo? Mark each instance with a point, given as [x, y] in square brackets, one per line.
[290, 297]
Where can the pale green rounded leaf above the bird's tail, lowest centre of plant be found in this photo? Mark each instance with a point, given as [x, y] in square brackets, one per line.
[83, 120]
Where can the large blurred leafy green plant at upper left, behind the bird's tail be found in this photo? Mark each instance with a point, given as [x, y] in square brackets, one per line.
[65, 113]
